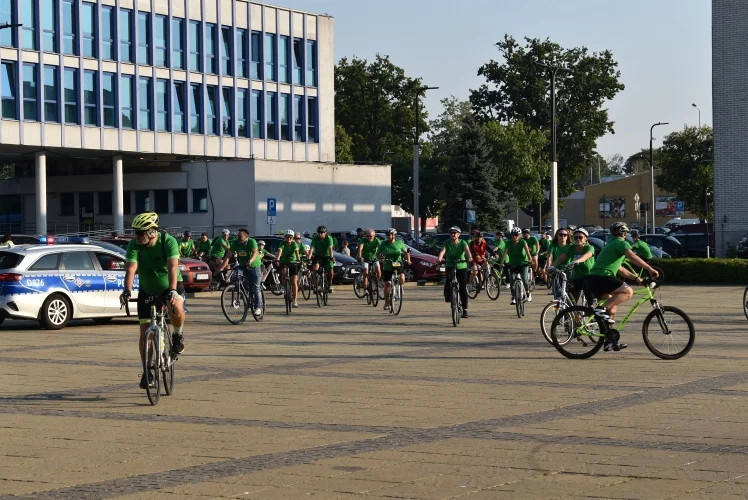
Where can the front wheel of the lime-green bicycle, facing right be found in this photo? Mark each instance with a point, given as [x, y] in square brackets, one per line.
[673, 334]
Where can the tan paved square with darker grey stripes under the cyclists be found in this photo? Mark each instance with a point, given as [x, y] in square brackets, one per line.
[347, 401]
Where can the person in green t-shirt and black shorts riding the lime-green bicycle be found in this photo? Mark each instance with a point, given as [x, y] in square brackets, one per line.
[602, 282]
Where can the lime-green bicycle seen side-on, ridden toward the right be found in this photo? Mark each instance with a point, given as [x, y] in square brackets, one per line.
[582, 327]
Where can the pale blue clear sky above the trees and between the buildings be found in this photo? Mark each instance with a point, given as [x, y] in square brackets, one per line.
[663, 48]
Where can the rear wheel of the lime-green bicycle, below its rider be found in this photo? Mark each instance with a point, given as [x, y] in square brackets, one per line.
[577, 333]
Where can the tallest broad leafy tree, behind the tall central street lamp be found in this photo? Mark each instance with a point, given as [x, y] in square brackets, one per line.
[517, 89]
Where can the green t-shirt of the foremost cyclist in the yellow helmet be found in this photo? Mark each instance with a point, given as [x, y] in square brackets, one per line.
[153, 274]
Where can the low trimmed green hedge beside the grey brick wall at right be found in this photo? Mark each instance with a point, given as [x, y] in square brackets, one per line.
[703, 270]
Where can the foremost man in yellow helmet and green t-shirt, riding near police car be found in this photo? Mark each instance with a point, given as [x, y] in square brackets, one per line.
[154, 256]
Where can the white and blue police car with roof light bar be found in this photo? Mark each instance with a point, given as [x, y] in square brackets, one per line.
[54, 283]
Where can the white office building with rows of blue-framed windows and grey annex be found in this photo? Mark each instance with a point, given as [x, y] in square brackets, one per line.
[110, 108]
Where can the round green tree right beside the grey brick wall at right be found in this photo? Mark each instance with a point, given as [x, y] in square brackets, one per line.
[686, 167]
